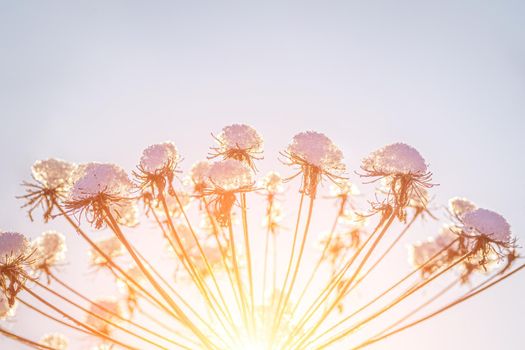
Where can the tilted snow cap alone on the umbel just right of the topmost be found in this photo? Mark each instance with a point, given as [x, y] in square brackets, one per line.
[318, 150]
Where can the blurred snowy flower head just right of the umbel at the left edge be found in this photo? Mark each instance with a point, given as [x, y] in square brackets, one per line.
[49, 249]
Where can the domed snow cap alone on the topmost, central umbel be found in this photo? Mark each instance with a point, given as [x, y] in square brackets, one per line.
[240, 137]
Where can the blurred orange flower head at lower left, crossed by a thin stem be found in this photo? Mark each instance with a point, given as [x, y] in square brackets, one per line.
[106, 308]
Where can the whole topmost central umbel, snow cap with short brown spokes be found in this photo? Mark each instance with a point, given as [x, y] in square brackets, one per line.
[240, 142]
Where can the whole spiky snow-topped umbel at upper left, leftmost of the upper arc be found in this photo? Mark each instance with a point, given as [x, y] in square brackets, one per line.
[53, 179]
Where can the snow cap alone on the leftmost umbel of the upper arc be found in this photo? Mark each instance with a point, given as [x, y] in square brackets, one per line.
[53, 173]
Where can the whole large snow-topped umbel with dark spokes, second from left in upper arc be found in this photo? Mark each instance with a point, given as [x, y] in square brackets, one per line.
[101, 188]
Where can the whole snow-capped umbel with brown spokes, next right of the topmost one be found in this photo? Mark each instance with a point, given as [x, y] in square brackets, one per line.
[317, 156]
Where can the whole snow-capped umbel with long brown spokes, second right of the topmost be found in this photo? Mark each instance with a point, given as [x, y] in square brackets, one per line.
[405, 172]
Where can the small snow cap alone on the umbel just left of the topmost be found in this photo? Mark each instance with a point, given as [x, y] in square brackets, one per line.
[159, 157]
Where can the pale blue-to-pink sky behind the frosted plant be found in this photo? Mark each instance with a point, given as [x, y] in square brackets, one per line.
[101, 80]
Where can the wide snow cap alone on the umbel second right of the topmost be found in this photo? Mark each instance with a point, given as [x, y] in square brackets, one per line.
[397, 158]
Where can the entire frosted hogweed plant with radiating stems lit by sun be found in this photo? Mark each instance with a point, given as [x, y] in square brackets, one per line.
[231, 289]
